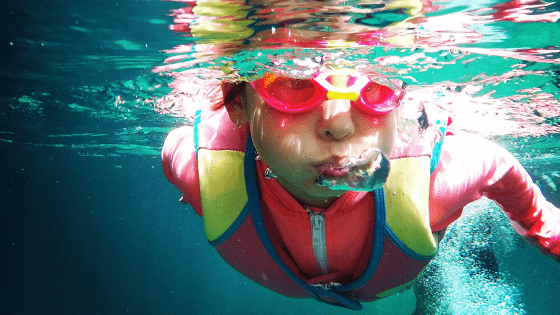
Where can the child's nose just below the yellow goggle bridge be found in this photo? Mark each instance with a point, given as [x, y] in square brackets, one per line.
[337, 123]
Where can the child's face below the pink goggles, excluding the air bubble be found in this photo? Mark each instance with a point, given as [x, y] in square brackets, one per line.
[297, 147]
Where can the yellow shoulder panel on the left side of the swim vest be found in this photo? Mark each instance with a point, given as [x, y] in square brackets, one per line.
[222, 189]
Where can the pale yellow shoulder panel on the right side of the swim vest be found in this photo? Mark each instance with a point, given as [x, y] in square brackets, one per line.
[407, 203]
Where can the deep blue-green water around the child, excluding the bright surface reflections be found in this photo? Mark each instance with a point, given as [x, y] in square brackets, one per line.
[91, 226]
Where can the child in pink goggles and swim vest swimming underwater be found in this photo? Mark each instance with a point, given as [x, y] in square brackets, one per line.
[306, 187]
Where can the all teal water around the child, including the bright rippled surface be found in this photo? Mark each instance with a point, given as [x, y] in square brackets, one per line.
[91, 226]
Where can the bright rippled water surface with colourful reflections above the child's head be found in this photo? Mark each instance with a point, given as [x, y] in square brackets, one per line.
[475, 57]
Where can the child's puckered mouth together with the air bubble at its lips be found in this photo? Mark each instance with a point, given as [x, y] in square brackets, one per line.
[367, 172]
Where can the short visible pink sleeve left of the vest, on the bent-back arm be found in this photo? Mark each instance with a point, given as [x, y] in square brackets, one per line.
[178, 159]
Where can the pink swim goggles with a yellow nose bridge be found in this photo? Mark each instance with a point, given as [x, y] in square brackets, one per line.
[290, 95]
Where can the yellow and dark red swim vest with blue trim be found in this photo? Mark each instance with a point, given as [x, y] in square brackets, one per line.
[403, 242]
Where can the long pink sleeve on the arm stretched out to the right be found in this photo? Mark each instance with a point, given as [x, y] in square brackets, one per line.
[471, 167]
